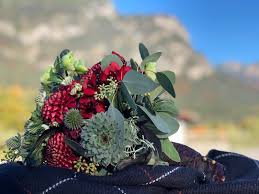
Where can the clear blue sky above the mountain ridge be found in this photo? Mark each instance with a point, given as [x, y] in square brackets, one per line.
[223, 30]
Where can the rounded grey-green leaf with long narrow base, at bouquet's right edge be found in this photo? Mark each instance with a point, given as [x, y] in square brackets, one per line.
[165, 123]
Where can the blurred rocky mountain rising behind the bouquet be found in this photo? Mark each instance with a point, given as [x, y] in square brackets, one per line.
[33, 32]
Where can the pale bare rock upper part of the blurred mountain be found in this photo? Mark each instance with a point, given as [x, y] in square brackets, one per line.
[33, 31]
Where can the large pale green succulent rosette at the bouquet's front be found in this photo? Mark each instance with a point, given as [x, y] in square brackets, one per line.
[103, 137]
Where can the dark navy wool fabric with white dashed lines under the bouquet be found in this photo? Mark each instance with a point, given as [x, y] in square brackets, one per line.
[242, 176]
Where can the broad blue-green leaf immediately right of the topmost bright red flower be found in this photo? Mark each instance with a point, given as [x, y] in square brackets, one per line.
[138, 83]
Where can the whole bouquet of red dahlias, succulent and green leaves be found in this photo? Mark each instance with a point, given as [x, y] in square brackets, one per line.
[100, 119]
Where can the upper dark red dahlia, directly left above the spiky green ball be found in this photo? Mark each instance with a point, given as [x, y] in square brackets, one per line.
[57, 105]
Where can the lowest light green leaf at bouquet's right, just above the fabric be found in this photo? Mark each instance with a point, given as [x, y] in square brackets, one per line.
[169, 150]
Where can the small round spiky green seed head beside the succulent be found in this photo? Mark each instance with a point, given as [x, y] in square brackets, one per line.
[73, 119]
